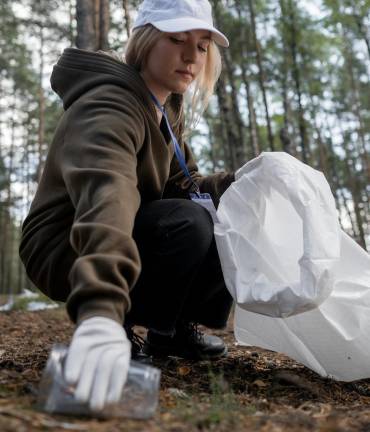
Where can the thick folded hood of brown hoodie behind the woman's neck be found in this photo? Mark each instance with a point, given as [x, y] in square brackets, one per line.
[78, 71]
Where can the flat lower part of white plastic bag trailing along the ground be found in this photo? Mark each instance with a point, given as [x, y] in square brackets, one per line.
[334, 339]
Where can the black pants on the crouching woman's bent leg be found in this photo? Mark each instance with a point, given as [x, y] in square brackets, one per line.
[181, 276]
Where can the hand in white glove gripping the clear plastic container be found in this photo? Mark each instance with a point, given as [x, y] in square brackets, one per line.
[97, 362]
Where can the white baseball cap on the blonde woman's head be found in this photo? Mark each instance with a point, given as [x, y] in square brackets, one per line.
[178, 16]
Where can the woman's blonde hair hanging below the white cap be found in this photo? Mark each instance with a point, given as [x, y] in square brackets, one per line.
[138, 48]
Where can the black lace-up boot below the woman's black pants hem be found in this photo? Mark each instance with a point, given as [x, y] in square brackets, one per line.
[188, 343]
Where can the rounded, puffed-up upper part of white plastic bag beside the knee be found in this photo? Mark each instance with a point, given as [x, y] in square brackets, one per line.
[278, 236]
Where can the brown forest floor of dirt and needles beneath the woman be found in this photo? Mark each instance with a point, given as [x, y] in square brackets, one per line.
[250, 390]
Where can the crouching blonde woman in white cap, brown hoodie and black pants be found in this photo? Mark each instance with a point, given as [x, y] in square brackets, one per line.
[112, 230]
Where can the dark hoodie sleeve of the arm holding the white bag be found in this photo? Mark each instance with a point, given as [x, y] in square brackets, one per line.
[179, 185]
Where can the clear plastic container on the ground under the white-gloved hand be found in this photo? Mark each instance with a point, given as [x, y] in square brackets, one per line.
[139, 398]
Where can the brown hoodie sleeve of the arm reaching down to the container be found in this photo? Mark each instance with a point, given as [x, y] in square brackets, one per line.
[98, 163]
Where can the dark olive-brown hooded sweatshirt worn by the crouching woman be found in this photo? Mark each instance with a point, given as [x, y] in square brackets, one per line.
[107, 157]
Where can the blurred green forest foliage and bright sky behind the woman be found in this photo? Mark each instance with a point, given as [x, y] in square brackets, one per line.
[315, 75]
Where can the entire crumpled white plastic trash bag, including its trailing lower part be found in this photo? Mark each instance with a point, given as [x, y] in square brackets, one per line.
[324, 323]
